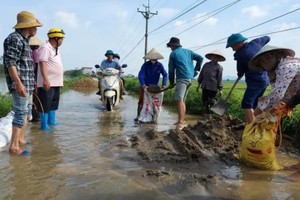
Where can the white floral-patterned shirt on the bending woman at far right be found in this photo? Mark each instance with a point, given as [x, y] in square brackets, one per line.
[285, 86]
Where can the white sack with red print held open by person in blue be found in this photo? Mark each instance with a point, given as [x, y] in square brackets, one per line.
[152, 106]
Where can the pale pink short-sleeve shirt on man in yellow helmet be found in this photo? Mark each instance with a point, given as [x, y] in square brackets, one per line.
[54, 66]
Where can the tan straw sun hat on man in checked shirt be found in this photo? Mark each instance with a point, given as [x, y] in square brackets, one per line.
[26, 19]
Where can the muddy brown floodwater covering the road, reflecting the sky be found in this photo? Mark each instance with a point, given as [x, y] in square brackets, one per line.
[88, 156]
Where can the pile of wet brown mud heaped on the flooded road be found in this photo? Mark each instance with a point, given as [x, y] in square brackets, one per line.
[211, 137]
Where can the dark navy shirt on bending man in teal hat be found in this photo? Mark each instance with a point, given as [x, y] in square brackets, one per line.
[243, 56]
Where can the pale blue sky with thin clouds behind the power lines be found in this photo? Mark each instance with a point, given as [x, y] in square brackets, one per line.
[94, 26]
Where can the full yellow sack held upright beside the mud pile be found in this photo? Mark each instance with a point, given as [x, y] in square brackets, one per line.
[258, 142]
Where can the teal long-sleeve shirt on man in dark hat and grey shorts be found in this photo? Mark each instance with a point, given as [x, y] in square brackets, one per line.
[181, 63]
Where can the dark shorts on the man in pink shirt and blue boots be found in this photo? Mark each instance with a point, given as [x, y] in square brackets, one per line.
[49, 99]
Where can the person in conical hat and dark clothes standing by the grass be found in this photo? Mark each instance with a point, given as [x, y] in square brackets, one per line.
[210, 78]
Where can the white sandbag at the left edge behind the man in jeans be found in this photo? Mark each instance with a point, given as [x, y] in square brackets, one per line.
[6, 129]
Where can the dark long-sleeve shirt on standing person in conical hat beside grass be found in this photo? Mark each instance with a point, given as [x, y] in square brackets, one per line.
[210, 76]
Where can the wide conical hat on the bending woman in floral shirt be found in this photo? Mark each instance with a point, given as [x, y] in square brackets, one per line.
[254, 65]
